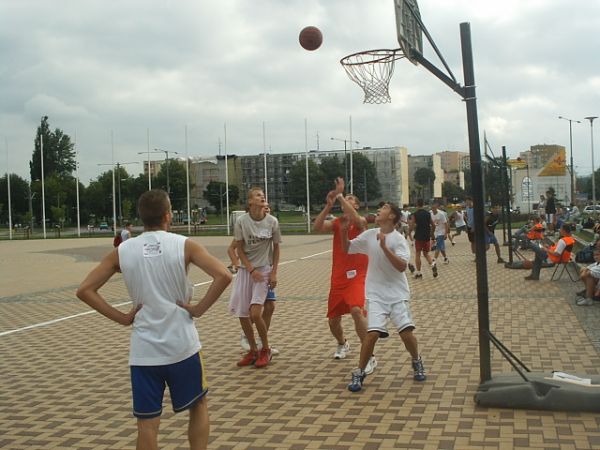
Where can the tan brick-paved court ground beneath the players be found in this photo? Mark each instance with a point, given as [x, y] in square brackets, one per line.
[64, 381]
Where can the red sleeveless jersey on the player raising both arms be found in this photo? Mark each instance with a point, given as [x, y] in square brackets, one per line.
[346, 268]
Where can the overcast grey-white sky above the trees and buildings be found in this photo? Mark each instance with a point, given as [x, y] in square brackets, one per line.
[130, 66]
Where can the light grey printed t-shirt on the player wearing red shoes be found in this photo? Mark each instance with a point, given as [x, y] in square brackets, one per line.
[259, 237]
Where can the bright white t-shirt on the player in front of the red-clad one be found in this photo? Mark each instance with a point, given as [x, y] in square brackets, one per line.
[384, 282]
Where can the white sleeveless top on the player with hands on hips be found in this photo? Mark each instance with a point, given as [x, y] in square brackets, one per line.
[153, 266]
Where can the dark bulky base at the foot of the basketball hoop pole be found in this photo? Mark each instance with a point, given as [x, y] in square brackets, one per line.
[540, 392]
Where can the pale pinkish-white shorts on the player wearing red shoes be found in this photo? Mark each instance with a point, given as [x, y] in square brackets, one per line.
[248, 292]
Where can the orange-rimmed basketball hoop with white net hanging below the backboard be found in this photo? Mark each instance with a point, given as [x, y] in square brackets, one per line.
[372, 70]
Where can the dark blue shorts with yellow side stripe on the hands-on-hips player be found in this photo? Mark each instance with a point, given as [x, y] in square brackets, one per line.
[186, 381]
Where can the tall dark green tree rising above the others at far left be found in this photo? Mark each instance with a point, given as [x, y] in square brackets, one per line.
[59, 153]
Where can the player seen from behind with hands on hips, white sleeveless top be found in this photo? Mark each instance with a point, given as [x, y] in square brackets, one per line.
[164, 341]
